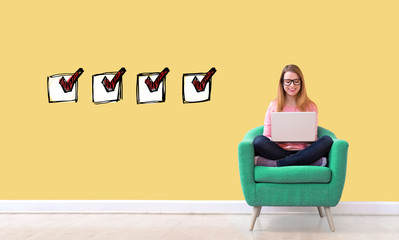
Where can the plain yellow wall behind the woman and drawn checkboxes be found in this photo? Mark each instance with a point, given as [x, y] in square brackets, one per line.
[348, 51]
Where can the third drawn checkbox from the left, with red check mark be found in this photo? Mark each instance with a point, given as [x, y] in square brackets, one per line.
[151, 87]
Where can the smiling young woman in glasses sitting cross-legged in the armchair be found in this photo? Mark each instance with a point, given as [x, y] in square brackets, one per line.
[291, 97]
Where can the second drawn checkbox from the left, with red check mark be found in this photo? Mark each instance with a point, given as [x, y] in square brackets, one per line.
[107, 87]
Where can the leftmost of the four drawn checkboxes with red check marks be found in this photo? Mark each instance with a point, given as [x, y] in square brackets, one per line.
[63, 87]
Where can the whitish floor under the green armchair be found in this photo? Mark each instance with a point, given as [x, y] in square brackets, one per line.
[193, 226]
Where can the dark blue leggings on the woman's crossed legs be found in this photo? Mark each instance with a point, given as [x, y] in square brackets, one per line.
[264, 147]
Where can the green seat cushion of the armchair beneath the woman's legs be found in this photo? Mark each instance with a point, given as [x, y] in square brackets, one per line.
[292, 174]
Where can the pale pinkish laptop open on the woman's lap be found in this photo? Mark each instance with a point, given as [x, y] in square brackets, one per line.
[293, 126]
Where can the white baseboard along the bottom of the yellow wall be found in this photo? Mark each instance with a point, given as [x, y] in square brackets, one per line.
[180, 206]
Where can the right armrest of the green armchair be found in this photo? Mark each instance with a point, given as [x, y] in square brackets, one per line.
[337, 163]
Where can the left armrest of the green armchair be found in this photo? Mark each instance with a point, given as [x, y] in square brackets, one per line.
[246, 167]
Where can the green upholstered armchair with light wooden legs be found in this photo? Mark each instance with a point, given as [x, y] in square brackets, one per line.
[292, 185]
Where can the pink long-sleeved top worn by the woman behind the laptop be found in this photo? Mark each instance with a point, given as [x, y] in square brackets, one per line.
[267, 129]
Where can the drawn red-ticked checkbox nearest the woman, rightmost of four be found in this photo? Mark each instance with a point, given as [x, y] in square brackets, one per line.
[197, 86]
